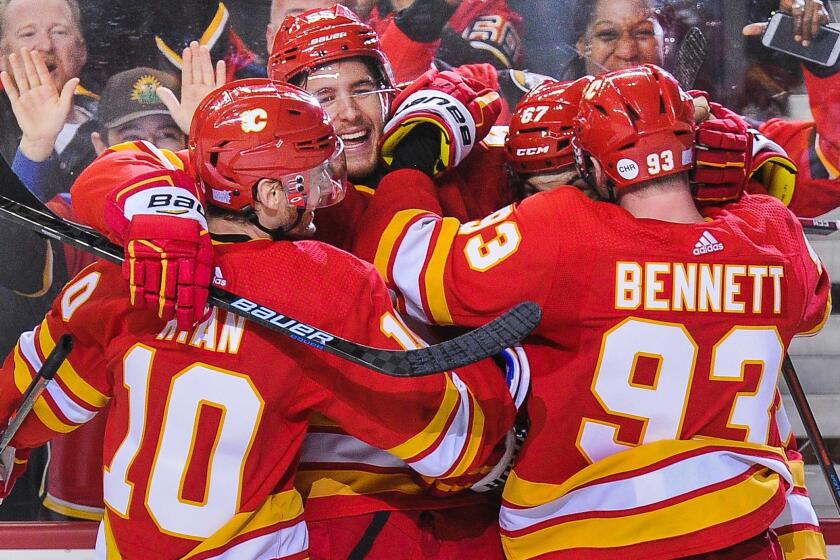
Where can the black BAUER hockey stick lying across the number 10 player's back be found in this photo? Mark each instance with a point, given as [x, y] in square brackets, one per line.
[483, 342]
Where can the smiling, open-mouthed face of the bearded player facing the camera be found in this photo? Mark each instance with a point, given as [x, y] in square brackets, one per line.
[348, 92]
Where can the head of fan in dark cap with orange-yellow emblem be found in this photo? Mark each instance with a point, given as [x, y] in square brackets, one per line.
[130, 110]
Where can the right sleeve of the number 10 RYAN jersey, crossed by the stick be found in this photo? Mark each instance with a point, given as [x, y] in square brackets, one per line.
[434, 423]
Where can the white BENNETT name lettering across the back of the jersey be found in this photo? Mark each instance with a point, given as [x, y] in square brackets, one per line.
[699, 287]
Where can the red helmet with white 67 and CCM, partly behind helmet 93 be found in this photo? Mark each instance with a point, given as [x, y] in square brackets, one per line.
[542, 126]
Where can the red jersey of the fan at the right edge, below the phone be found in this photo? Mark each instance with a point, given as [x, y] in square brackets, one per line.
[815, 148]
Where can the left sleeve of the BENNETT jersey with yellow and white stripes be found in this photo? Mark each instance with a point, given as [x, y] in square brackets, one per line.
[447, 272]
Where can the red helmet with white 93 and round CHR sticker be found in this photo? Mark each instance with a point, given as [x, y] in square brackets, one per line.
[637, 124]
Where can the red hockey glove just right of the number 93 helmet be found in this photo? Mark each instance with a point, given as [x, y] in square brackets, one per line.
[723, 157]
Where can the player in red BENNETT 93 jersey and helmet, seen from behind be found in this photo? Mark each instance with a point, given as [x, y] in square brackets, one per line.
[662, 442]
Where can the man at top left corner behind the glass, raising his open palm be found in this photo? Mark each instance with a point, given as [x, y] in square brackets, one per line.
[62, 128]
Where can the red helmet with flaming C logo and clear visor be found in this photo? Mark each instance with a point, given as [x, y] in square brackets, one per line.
[256, 128]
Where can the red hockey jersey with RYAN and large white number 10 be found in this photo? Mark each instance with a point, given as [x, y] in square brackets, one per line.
[205, 427]
